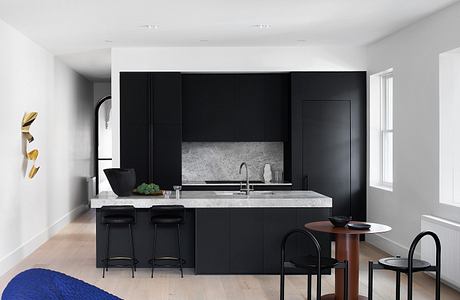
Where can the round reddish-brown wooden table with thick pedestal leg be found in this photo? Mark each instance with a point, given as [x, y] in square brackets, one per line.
[346, 248]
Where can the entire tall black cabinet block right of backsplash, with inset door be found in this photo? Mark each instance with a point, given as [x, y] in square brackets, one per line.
[328, 134]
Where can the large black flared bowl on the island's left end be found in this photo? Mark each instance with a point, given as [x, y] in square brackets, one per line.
[122, 181]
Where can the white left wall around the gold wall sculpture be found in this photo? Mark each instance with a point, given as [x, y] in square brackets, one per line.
[31, 79]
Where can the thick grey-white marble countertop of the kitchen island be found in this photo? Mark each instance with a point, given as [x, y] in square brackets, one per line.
[219, 199]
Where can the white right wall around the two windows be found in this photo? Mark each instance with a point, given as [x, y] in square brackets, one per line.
[413, 53]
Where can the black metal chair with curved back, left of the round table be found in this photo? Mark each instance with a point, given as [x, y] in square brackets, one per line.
[312, 264]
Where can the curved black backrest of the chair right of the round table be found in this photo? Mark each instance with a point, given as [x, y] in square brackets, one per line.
[410, 258]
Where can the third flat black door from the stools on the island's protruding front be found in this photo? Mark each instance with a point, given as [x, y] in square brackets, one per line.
[278, 222]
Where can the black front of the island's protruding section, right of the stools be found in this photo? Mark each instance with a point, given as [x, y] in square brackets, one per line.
[248, 240]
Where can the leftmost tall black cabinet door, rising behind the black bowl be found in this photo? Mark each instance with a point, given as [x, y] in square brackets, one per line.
[135, 119]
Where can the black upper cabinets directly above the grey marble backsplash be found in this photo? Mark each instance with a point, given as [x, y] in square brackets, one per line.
[235, 107]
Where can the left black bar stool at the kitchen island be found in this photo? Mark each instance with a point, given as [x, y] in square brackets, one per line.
[118, 216]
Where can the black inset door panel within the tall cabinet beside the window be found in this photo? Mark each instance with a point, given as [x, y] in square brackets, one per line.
[326, 143]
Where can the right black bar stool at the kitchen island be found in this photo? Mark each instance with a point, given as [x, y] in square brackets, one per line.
[167, 215]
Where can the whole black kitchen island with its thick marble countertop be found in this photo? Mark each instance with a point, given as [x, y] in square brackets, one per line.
[224, 232]
